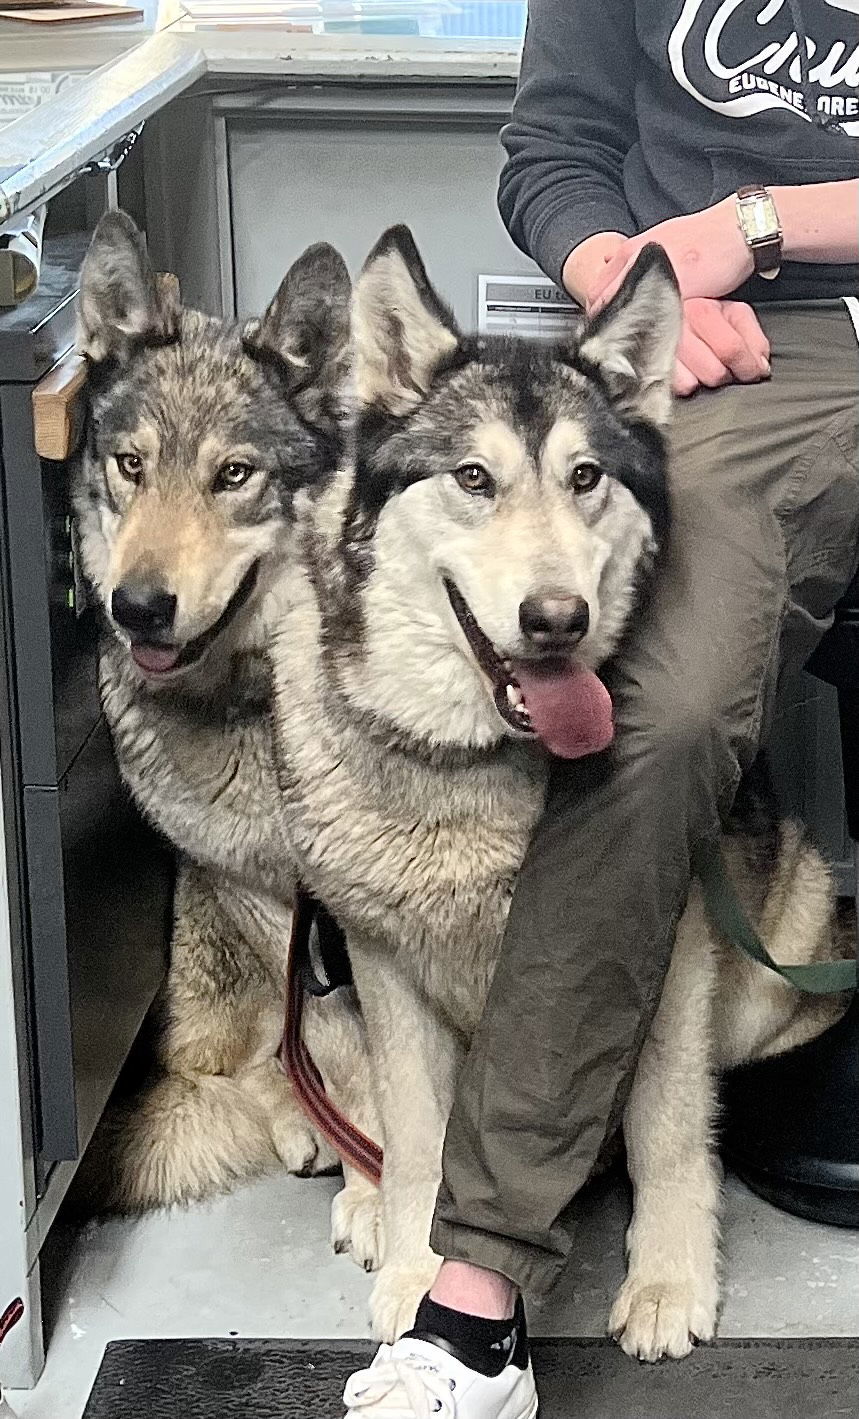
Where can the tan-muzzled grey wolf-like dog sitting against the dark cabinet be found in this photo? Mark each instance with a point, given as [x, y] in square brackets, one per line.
[199, 438]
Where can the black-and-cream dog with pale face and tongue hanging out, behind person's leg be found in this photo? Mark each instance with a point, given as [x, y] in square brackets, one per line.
[462, 581]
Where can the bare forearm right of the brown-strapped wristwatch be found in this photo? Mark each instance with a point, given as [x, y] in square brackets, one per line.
[820, 222]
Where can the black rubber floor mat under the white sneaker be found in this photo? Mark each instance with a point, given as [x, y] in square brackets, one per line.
[577, 1380]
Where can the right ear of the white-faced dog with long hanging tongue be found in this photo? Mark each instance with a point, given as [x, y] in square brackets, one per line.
[634, 340]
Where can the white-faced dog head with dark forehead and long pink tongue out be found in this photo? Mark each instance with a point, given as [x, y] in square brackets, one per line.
[509, 497]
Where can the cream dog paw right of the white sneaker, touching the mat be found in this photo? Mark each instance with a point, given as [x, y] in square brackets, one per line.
[658, 1320]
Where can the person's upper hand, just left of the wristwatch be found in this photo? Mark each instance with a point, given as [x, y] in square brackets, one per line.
[706, 249]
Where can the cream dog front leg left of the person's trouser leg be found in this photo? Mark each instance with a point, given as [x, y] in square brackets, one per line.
[415, 1059]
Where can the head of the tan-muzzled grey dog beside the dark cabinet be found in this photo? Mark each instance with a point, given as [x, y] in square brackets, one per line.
[199, 438]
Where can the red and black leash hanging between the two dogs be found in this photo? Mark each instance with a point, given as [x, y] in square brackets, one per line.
[354, 1147]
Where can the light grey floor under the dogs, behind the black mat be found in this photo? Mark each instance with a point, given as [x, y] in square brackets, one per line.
[258, 1264]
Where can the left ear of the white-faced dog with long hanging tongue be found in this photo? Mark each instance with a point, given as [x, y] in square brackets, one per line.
[403, 330]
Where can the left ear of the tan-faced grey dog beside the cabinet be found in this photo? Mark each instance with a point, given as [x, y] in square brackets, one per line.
[121, 300]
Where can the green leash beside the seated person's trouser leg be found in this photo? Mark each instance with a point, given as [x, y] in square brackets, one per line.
[728, 916]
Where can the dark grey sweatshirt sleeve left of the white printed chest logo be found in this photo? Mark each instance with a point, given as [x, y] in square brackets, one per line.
[571, 128]
